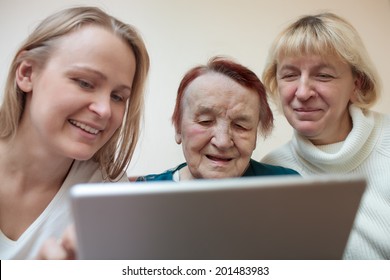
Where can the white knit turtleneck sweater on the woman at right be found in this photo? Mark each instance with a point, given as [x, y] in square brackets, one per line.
[366, 151]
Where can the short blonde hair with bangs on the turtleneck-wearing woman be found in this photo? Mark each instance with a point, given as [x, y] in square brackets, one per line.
[324, 34]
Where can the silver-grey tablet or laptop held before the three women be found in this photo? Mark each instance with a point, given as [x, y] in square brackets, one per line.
[276, 217]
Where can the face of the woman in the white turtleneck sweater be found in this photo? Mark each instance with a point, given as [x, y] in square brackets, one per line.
[315, 93]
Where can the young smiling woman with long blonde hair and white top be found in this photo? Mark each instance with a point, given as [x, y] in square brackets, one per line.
[71, 114]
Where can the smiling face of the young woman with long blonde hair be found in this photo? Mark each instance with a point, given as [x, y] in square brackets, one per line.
[78, 100]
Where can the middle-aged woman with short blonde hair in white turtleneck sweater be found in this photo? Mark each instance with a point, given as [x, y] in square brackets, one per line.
[319, 71]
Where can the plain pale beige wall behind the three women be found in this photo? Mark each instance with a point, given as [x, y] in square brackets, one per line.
[182, 33]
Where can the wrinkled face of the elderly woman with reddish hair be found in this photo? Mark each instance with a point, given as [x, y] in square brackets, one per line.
[219, 127]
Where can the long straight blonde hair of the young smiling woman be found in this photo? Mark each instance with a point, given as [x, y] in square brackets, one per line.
[114, 157]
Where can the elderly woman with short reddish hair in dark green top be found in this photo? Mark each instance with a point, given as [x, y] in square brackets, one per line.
[220, 109]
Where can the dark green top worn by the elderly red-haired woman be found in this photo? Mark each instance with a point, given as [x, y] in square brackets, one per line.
[255, 168]
